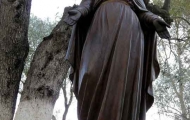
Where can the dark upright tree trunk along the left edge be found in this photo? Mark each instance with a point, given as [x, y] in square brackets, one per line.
[14, 21]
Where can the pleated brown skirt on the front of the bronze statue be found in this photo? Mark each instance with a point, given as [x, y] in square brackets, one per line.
[110, 74]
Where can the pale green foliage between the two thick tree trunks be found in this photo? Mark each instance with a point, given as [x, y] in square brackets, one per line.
[38, 29]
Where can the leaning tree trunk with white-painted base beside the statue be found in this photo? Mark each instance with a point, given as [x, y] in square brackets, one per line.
[45, 76]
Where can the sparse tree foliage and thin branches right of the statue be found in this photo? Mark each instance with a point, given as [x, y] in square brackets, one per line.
[172, 88]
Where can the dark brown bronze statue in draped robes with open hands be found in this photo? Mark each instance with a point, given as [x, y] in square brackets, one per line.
[113, 58]
